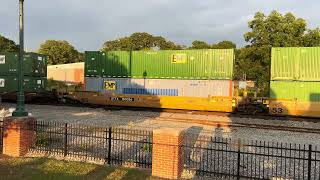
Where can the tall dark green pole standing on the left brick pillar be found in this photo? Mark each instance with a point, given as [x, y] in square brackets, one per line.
[20, 110]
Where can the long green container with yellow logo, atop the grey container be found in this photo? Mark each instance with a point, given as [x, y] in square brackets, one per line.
[169, 64]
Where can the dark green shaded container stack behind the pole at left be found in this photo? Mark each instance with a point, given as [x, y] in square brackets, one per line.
[35, 70]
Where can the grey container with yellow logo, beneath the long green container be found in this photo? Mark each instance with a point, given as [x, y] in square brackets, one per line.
[166, 87]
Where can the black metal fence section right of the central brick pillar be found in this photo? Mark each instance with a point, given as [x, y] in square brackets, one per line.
[218, 157]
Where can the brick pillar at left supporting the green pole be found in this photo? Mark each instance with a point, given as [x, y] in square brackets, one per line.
[19, 135]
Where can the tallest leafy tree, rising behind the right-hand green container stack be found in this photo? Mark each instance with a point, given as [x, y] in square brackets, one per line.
[274, 30]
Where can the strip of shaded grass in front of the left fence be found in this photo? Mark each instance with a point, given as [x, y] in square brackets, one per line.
[43, 168]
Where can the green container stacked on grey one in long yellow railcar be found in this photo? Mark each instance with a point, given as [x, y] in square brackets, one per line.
[178, 79]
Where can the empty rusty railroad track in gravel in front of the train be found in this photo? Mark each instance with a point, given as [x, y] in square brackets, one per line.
[213, 122]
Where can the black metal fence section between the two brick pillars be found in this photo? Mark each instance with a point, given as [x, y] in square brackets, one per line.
[110, 145]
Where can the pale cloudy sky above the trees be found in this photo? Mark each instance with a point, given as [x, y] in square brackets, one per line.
[87, 24]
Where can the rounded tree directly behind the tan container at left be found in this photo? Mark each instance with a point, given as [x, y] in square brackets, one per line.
[60, 52]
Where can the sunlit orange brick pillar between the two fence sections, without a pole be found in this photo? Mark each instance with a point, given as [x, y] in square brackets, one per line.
[167, 153]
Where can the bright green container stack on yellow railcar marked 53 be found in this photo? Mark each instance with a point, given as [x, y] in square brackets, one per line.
[295, 81]
